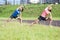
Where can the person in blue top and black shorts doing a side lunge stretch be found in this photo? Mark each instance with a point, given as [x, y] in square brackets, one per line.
[17, 14]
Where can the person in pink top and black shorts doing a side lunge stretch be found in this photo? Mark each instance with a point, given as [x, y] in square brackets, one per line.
[46, 15]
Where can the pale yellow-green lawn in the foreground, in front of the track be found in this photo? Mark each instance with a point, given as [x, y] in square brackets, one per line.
[17, 31]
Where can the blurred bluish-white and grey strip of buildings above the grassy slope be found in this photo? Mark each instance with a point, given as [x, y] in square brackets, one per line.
[18, 2]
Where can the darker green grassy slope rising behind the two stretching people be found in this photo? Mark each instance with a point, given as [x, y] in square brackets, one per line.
[33, 10]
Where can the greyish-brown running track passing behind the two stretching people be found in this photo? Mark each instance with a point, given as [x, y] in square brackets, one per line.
[54, 23]
